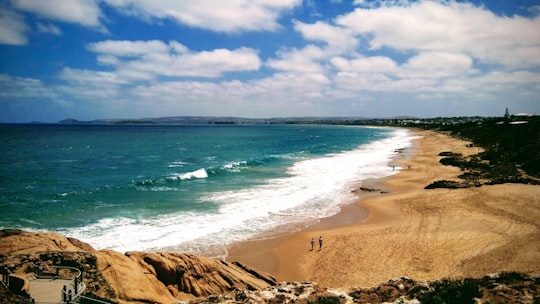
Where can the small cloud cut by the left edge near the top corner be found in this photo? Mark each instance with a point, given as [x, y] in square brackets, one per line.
[12, 28]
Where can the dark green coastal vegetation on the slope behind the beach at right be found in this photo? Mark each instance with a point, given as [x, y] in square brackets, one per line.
[511, 152]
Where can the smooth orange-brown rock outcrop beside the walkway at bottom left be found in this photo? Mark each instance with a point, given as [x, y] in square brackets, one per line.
[133, 277]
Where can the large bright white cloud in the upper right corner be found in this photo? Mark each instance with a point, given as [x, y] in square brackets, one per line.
[449, 27]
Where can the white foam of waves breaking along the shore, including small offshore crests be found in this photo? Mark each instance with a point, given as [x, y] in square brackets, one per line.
[314, 188]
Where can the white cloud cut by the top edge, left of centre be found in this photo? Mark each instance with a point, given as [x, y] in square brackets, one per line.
[220, 16]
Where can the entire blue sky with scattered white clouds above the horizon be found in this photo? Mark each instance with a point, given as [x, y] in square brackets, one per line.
[91, 59]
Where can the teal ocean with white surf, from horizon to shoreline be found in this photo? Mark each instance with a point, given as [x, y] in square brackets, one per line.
[184, 188]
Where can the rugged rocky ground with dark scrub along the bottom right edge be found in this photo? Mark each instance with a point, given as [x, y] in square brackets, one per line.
[509, 287]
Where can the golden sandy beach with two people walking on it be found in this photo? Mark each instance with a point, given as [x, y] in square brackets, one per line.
[410, 231]
